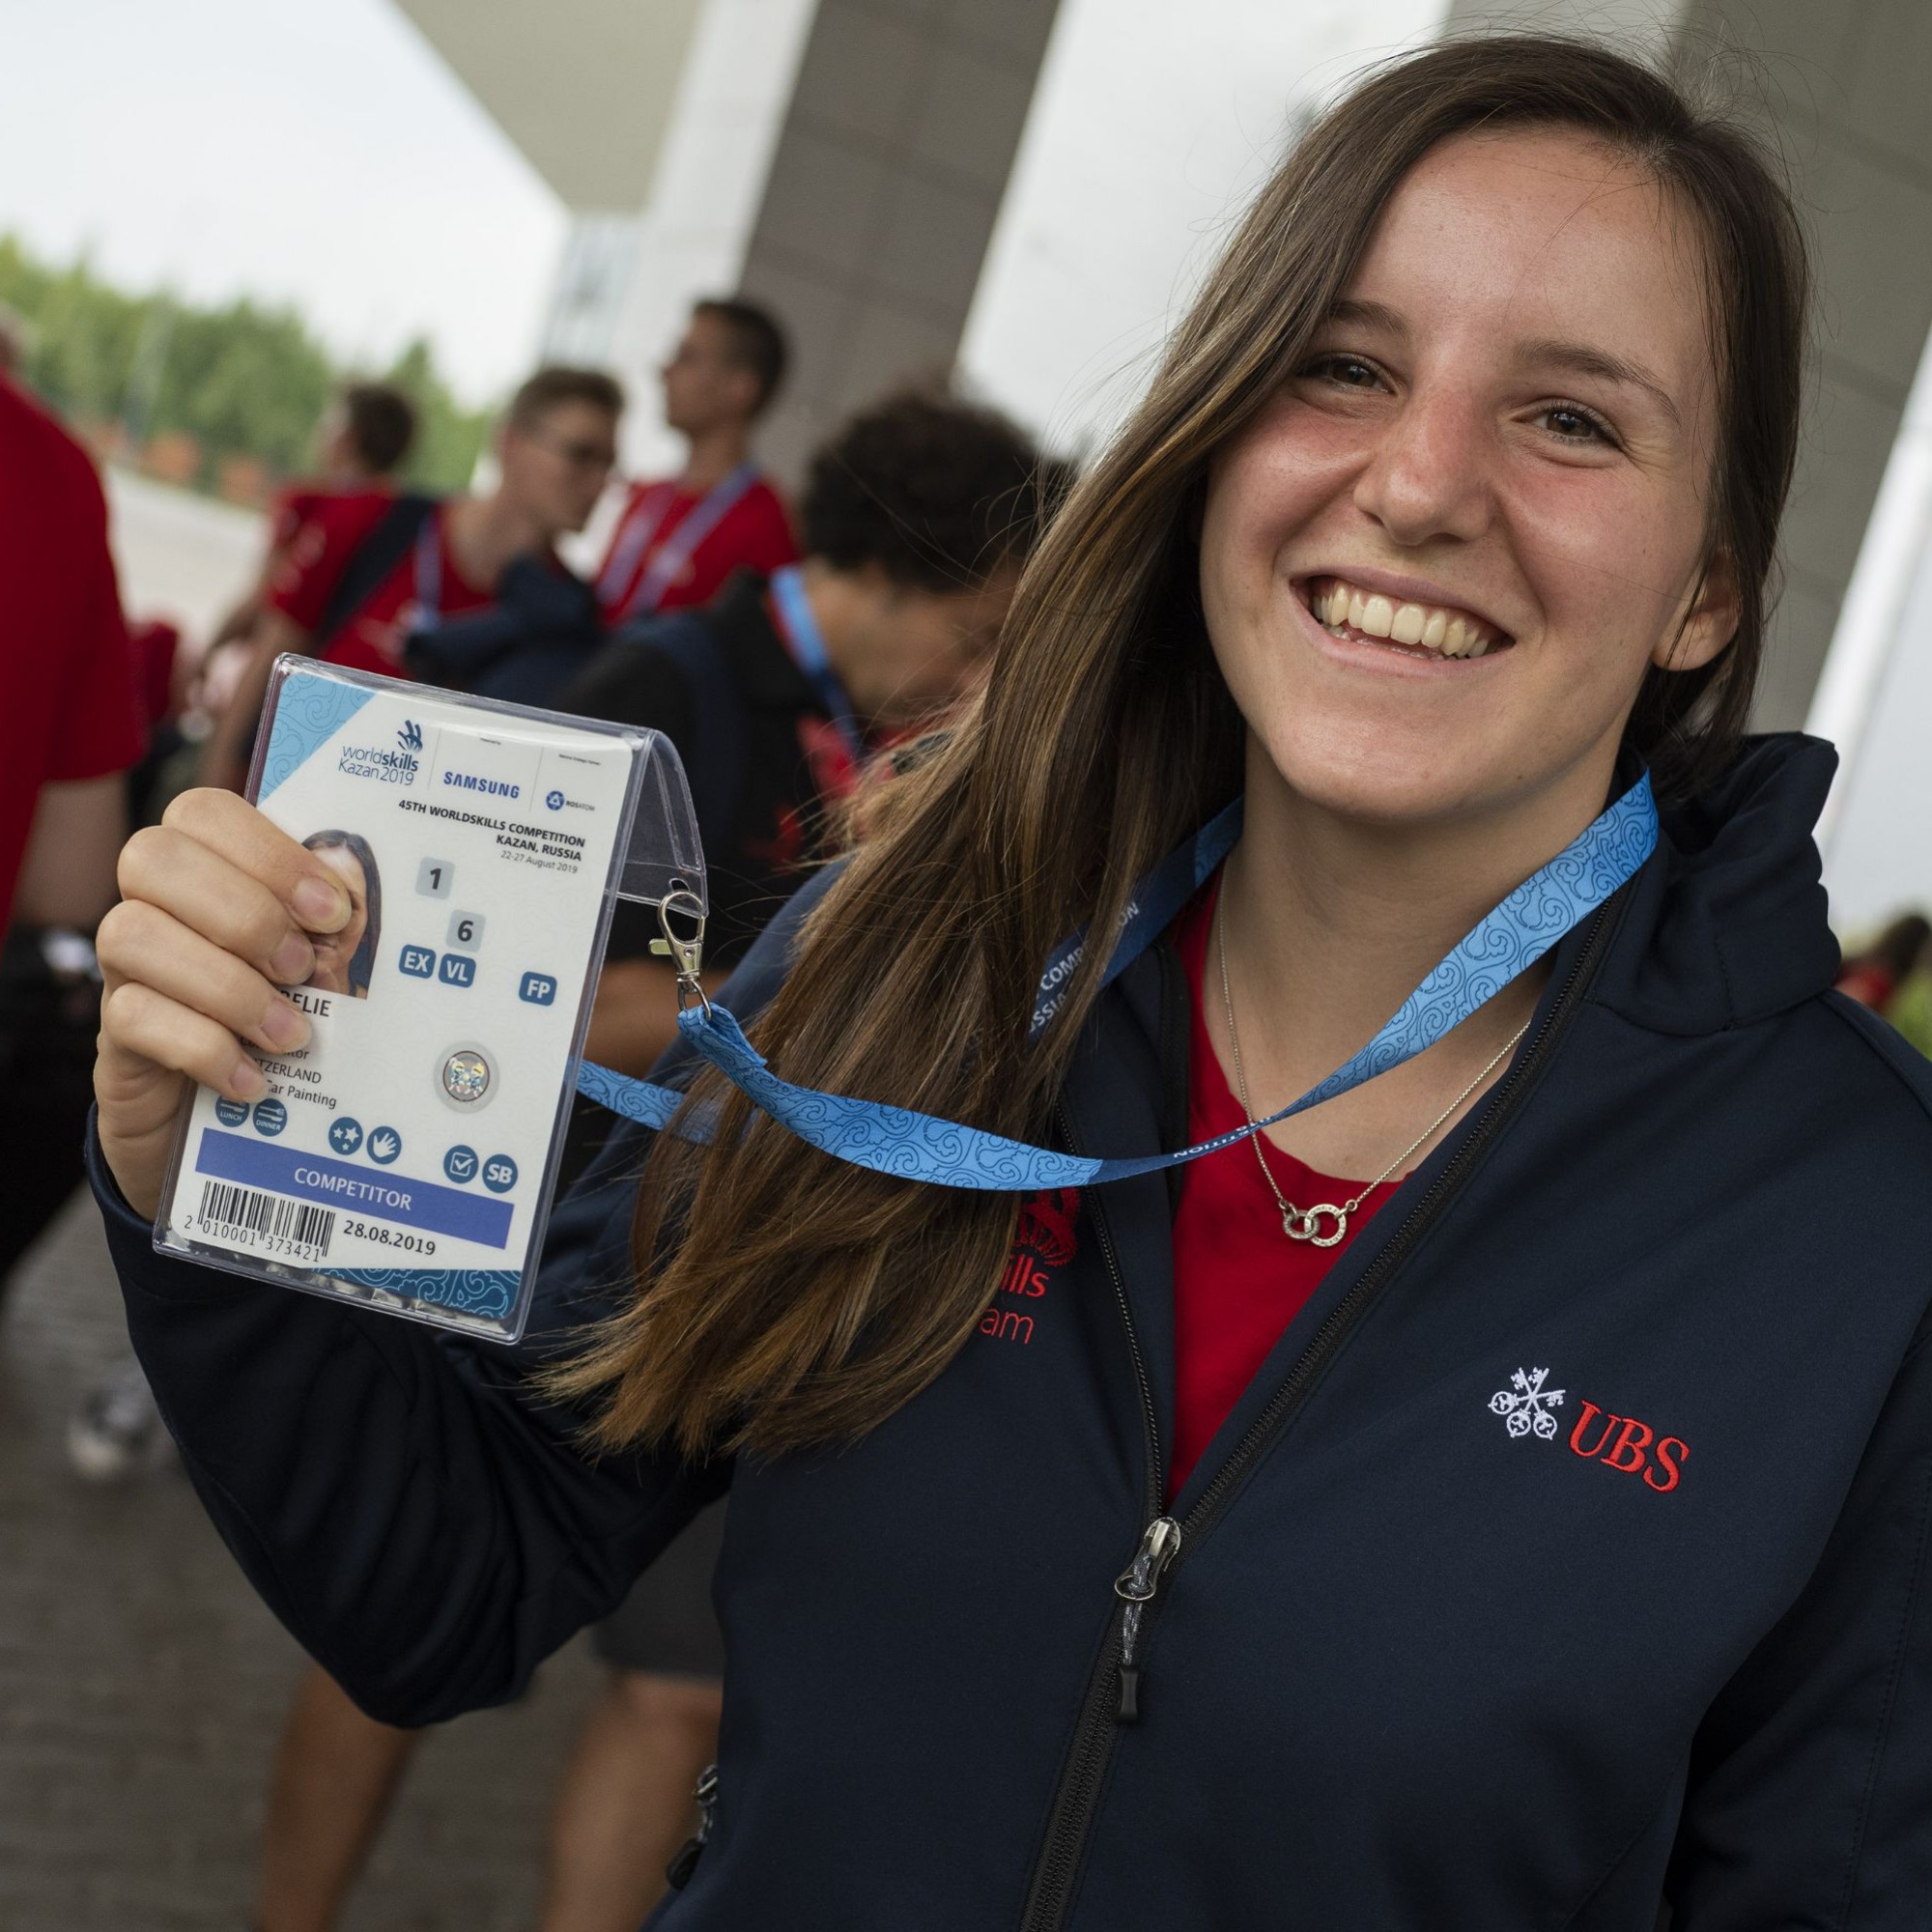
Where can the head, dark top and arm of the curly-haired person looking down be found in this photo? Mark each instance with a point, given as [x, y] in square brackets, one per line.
[917, 519]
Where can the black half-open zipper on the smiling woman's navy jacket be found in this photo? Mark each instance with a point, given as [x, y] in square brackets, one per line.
[1114, 1690]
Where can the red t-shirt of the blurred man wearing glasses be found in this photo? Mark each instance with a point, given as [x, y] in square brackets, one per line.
[380, 627]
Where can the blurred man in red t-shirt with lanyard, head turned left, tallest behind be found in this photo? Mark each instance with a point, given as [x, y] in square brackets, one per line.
[681, 538]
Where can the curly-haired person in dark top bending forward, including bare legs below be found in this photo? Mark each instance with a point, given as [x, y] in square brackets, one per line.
[917, 517]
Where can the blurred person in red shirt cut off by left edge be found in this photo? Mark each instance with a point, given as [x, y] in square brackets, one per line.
[69, 731]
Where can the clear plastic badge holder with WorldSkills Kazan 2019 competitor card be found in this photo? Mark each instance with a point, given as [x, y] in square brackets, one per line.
[405, 1158]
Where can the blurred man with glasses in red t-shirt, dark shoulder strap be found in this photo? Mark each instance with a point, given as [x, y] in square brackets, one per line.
[368, 569]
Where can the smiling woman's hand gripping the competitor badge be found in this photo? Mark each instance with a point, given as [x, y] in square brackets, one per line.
[215, 915]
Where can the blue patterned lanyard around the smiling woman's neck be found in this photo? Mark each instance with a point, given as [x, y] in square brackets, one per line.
[917, 1147]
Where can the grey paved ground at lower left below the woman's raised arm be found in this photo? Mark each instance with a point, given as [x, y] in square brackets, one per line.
[142, 1688]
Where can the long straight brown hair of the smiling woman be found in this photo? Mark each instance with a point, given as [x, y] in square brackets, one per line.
[789, 1299]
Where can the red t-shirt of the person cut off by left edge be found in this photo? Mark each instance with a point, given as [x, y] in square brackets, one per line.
[71, 708]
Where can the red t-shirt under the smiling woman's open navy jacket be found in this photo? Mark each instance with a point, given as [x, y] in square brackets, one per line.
[1239, 1280]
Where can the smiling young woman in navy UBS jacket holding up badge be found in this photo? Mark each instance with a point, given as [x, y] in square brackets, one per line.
[1494, 1498]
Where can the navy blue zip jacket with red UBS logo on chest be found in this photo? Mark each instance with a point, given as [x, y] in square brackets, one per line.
[1566, 1558]
